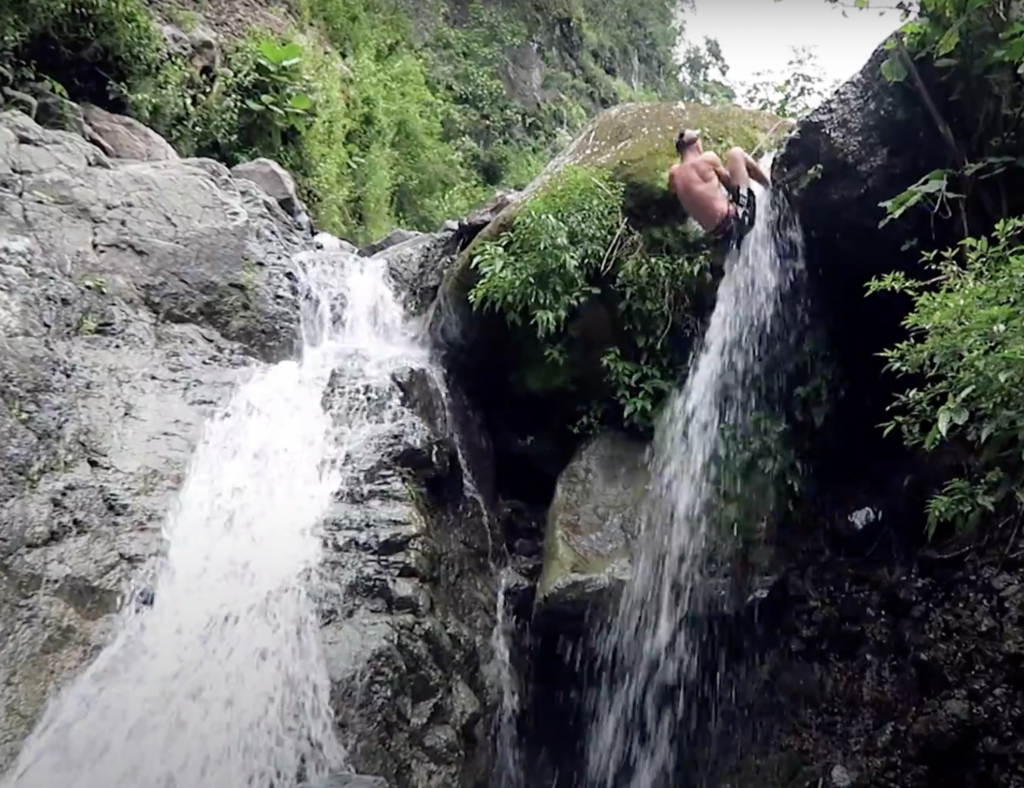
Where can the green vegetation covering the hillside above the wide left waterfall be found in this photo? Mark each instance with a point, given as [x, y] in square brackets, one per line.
[388, 113]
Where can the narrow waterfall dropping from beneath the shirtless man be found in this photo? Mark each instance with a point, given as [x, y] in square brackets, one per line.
[650, 652]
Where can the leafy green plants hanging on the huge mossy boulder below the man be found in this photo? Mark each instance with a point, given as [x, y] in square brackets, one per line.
[570, 248]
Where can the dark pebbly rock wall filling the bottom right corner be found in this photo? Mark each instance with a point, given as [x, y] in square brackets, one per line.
[902, 676]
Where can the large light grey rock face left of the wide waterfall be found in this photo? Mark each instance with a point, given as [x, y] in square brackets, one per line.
[133, 296]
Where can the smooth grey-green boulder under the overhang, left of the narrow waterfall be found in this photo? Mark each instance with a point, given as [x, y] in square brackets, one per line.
[592, 522]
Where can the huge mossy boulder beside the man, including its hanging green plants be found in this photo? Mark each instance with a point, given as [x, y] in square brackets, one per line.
[577, 308]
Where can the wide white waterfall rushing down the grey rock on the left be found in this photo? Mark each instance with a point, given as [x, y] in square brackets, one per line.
[222, 684]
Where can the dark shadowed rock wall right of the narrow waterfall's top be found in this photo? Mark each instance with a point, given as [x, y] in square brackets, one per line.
[869, 143]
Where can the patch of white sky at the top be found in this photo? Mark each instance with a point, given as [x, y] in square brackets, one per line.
[756, 35]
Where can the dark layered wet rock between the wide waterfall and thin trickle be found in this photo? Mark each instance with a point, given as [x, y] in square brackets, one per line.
[406, 630]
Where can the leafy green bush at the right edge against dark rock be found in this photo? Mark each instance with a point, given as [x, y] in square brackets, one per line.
[966, 355]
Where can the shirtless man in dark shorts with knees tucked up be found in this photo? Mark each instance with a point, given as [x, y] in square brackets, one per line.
[698, 180]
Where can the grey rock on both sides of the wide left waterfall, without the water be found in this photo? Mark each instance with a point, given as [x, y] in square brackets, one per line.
[136, 295]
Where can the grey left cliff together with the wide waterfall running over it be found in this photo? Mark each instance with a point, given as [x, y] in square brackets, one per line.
[137, 298]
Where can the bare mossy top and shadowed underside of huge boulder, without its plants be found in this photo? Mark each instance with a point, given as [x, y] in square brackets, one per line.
[531, 404]
